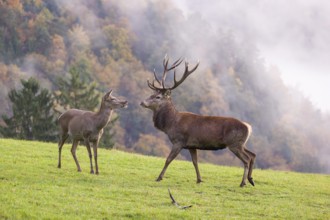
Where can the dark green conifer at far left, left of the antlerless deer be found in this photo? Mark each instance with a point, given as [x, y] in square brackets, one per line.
[32, 113]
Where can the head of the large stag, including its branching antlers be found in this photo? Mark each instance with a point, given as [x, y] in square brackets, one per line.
[162, 93]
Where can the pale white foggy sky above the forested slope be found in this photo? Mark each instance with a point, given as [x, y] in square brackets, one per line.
[292, 35]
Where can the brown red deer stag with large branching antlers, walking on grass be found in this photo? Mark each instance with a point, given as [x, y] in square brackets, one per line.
[196, 132]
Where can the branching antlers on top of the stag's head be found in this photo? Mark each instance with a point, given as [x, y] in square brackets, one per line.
[162, 87]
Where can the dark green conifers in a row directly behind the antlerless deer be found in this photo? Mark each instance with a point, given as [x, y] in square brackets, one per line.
[36, 109]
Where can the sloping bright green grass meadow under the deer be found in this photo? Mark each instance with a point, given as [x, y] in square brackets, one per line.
[32, 187]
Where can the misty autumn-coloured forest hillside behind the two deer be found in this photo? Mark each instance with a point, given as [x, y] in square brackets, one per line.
[57, 54]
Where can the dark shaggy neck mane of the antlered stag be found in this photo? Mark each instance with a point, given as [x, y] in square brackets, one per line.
[165, 116]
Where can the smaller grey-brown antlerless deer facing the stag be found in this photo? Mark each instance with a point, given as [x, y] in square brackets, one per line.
[87, 126]
